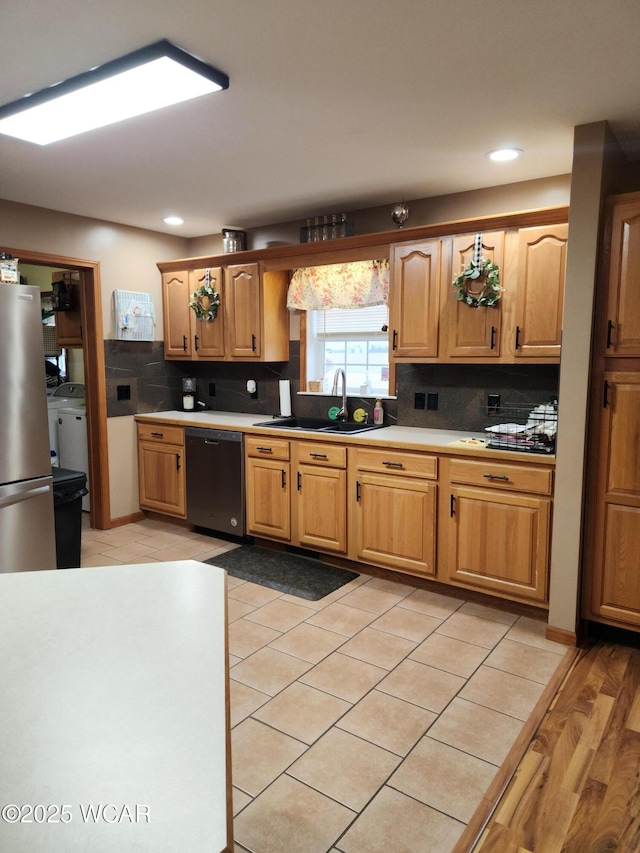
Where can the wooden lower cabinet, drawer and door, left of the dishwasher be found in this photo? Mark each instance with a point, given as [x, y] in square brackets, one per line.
[161, 471]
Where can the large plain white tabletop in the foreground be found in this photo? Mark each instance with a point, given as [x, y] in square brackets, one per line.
[114, 722]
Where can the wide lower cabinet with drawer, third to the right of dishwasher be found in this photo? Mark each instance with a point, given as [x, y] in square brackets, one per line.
[394, 510]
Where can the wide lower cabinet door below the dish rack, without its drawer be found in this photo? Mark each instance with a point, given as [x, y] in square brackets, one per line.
[499, 542]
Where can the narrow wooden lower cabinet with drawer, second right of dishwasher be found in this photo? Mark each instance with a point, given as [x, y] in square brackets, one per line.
[320, 497]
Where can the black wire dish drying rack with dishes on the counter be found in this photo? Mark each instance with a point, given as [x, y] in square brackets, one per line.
[530, 429]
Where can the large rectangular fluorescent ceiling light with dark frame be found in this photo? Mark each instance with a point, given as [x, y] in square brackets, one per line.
[148, 79]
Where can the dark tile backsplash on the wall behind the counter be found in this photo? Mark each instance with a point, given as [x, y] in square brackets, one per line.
[138, 370]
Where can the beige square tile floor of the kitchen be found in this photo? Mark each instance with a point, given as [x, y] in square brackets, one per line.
[372, 720]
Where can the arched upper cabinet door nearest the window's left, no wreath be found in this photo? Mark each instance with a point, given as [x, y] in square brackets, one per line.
[243, 311]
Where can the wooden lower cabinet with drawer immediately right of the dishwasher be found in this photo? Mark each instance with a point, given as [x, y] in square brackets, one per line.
[268, 488]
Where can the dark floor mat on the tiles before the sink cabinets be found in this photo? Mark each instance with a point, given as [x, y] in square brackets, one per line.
[294, 574]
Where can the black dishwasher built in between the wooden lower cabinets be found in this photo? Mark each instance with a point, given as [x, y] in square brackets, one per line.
[215, 479]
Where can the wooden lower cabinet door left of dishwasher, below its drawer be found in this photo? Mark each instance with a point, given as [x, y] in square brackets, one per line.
[161, 478]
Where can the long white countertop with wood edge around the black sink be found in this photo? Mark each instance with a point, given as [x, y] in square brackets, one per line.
[415, 438]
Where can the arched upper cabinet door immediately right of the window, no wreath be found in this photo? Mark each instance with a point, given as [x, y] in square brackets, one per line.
[415, 293]
